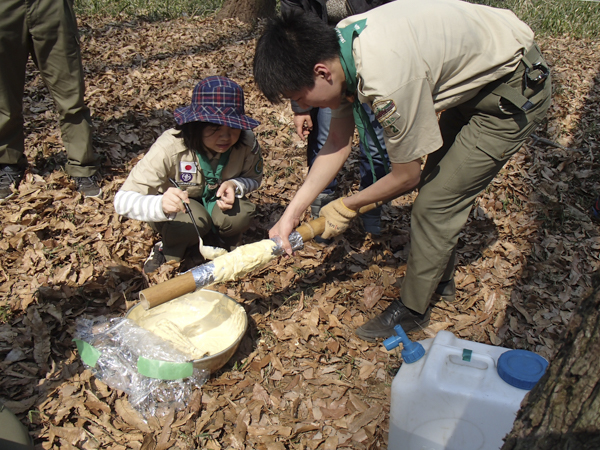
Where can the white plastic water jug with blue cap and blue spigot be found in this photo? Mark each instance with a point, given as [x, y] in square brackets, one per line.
[459, 395]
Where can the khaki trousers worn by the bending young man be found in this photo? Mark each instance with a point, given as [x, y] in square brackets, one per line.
[479, 137]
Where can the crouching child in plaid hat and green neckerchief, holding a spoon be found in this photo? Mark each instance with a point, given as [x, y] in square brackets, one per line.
[208, 162]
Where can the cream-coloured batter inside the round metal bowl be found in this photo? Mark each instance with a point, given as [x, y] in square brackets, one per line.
[198, 324]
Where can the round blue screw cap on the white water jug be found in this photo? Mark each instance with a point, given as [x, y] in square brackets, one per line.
[521, 368]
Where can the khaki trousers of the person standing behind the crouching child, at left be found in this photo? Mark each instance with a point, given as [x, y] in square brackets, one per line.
[46, 30]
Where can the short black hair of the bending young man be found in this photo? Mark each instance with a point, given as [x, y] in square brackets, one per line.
[286, 53]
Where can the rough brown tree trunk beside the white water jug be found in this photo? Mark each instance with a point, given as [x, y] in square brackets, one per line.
[563, 410]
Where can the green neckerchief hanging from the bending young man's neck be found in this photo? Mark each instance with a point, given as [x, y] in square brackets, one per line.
[346, 36]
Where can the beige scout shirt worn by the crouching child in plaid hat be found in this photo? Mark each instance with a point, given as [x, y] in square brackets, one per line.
[169, 158]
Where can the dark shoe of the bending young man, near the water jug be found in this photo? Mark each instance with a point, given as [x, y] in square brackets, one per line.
[382, 326]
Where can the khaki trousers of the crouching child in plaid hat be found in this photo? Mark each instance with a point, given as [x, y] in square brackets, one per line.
[179, 233]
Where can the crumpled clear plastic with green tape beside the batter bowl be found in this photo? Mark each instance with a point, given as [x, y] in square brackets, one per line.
[117, 350]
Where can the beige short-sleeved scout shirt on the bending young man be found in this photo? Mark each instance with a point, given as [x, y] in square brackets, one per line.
[414, 59]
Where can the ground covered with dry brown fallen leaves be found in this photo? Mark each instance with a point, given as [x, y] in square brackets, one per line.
[300, 379]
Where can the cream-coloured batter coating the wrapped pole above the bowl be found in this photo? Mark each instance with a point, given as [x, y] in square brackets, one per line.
[242, 260]
